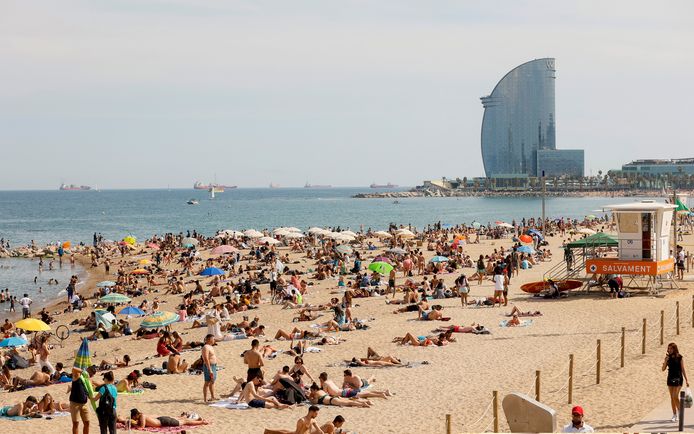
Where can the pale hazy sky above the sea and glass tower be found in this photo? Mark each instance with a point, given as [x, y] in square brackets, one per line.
[157, 93]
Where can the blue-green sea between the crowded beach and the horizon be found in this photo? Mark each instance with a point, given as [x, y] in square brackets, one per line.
[58, 216]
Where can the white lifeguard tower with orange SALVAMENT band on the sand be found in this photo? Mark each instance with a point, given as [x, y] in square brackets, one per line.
[644, 245]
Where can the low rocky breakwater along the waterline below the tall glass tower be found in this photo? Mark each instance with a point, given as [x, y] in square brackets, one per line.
[425, 192]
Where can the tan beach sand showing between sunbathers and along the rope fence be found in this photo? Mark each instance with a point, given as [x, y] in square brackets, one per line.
[458, 379]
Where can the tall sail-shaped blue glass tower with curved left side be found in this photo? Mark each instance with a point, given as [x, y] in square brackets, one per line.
[519, 120]
